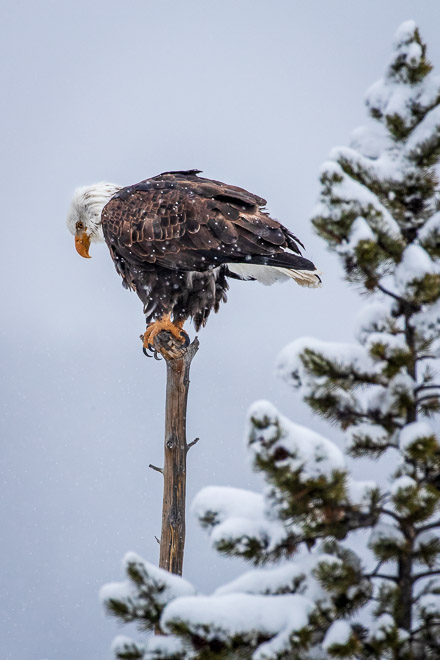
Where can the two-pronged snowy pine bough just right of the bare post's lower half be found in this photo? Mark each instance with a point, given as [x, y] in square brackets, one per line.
[297, 462]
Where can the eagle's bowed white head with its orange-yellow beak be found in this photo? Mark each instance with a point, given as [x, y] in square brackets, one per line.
[84, 216]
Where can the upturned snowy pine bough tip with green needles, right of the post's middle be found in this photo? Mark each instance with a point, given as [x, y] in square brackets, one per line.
[307, 474]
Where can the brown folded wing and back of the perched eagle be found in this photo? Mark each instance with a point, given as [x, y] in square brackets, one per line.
[180, 221]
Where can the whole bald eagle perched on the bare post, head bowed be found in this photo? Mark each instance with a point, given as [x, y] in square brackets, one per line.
[176, 238]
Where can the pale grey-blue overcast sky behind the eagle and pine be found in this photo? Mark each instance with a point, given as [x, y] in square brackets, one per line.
[254, 93]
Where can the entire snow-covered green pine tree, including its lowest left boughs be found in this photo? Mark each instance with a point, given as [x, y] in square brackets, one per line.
[379, 212]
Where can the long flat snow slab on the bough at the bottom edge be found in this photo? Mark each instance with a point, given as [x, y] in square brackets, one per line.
[245, 617]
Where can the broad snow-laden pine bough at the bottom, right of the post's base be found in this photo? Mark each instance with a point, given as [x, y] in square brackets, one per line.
[272, 613]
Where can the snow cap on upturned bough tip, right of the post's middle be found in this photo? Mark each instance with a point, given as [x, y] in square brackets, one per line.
[301, 450]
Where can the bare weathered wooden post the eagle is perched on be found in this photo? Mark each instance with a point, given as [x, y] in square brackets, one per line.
[178, 360]
